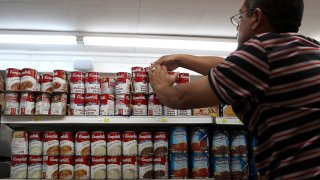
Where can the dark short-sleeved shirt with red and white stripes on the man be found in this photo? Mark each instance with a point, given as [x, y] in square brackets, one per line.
[273, 85]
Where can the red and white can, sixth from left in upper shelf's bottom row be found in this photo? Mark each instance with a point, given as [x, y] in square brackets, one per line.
[92, 103]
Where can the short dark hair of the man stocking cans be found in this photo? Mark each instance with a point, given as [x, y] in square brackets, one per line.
[284, 15]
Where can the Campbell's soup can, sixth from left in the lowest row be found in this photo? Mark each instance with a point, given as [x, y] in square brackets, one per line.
[98, 167]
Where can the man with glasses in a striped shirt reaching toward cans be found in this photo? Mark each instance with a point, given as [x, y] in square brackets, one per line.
[272, 82]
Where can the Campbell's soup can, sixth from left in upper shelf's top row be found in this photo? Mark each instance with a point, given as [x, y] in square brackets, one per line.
[92, 83]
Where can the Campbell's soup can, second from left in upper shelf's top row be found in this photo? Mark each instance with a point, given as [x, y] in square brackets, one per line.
[28, 79]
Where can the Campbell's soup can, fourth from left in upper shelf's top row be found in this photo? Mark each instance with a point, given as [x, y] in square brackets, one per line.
[59, 82]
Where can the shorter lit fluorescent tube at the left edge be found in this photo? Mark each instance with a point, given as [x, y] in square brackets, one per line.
[37, 39]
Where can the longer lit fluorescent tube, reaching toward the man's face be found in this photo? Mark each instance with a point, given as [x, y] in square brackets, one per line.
[187, 43]
